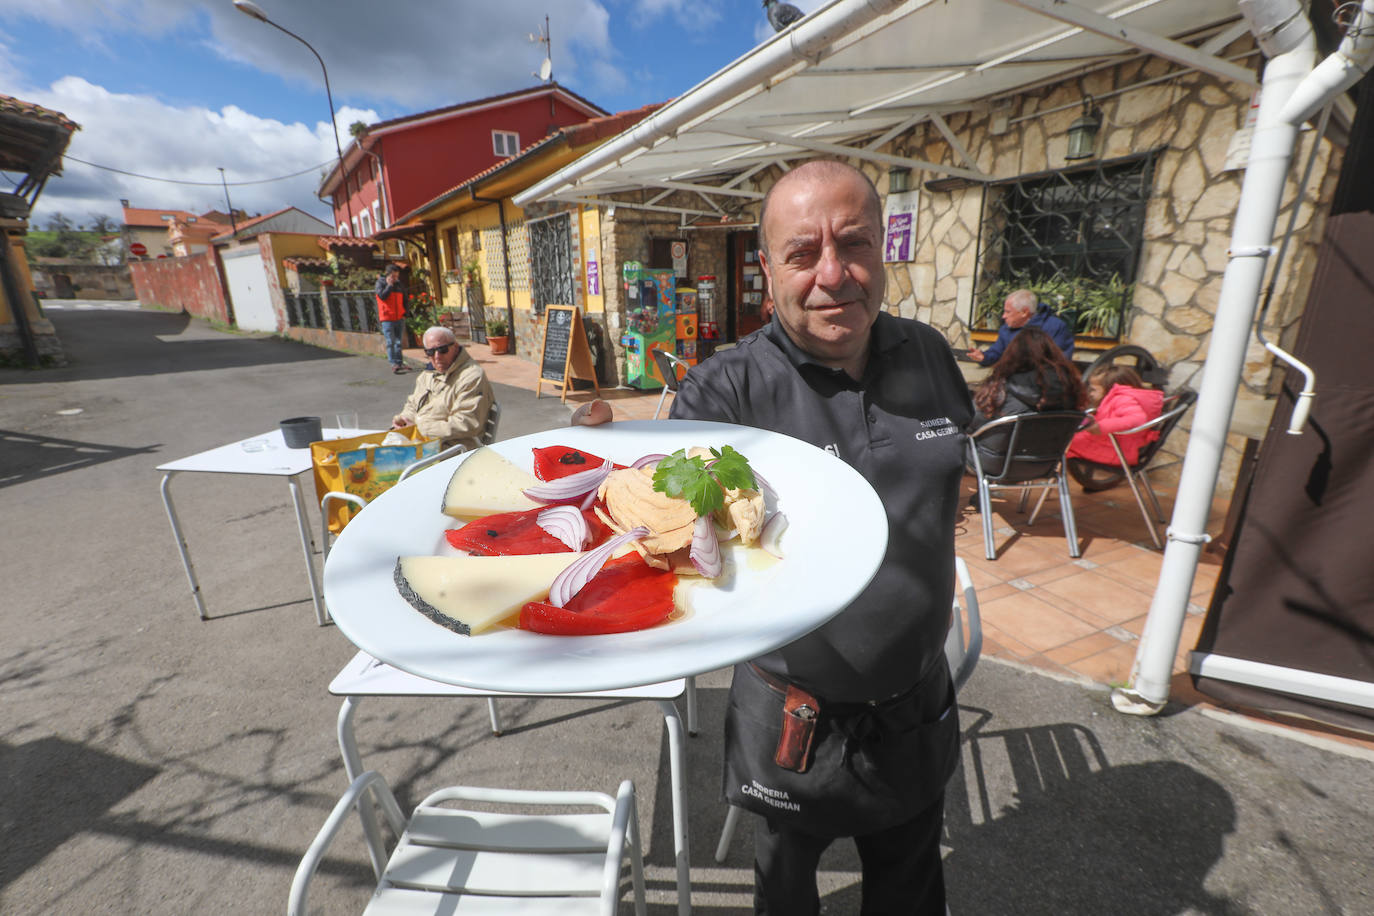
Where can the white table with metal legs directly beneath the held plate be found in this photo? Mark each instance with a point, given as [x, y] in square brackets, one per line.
[366, 676]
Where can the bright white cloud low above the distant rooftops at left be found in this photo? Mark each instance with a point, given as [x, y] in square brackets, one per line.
[141, 134]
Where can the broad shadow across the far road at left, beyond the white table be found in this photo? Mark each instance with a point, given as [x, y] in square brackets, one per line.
[156, 344]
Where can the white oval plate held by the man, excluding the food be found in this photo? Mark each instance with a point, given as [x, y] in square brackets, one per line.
[837, 534]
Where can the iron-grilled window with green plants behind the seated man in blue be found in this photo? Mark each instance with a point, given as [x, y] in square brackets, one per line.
[1072, 237]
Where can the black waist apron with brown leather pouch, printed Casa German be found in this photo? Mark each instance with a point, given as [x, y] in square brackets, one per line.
[837, 770]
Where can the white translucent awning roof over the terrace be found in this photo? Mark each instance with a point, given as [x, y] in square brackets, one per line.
[850, 78]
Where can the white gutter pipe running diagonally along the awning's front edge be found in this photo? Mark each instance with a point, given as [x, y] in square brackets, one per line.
[806, 41]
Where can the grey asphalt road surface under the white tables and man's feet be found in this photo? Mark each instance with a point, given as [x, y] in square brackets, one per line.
[159, 764]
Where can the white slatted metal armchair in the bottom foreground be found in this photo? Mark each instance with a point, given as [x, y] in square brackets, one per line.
[504, 862]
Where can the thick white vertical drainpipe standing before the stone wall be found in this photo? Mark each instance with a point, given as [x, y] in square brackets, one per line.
[1292, 93]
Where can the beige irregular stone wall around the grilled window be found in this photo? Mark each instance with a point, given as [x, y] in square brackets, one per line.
[1189, 122]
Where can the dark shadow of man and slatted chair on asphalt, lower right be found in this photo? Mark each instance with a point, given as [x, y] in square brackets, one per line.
[1078, 836]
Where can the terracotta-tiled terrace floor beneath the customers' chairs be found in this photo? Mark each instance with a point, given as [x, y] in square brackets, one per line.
[1041, 608]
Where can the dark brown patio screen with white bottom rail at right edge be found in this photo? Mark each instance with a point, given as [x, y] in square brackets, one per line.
[1298, 587]
